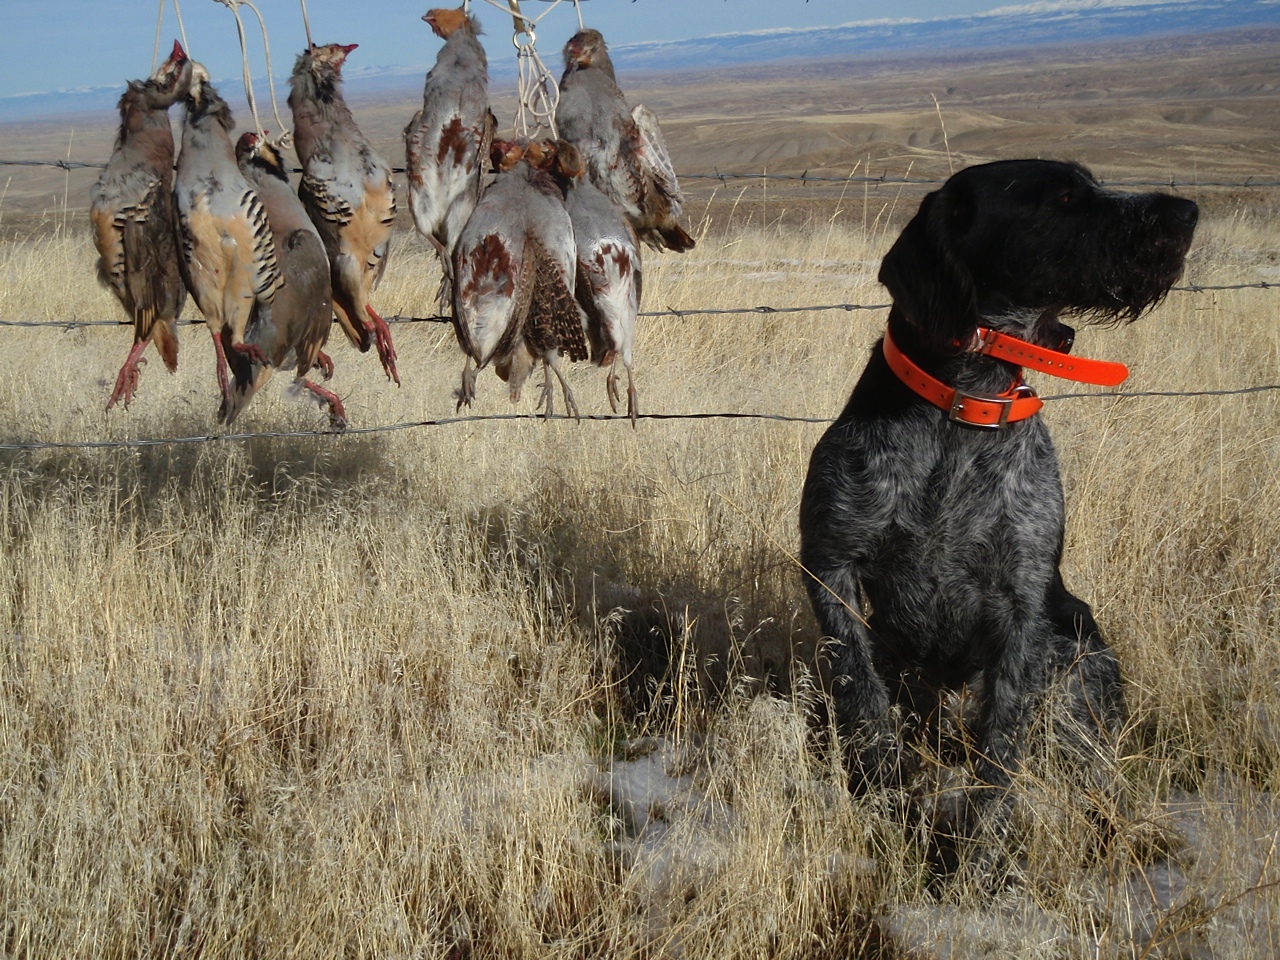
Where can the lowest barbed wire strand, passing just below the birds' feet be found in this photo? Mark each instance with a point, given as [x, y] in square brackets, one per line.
[561, 418]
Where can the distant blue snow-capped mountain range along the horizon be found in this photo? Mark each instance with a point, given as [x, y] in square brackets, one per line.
[1028, 25]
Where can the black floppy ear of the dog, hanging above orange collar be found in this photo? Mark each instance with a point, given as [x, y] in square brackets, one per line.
[929, 281]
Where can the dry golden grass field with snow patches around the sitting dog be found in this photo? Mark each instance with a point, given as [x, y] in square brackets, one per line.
[510, 689]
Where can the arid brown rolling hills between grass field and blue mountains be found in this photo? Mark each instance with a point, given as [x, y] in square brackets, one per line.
[1183, 109]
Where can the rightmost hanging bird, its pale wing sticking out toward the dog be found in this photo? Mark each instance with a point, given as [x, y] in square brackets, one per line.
[625, 154]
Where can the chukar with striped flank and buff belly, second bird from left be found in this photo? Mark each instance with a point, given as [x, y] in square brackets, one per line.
[230, 257]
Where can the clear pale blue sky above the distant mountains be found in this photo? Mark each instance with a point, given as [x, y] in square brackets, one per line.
[72, 44]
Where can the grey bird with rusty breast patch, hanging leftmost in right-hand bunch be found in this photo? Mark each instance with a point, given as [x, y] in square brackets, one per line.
[447, 143]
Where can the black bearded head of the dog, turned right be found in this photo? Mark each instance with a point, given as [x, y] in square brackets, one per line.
[1018, 243]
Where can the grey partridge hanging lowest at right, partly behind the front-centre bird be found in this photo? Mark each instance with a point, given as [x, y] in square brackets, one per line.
[609, 284]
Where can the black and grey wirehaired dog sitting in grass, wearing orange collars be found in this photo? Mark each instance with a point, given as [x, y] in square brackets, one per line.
[931, 524]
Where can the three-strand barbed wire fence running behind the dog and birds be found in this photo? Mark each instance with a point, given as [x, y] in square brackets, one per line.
[675, 313]
